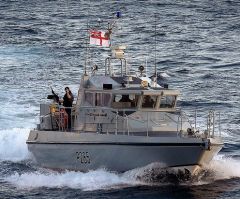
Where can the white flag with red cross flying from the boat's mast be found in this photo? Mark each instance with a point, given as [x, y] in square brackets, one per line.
[99, 38]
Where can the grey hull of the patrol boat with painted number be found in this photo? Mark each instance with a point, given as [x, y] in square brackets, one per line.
[86, 151]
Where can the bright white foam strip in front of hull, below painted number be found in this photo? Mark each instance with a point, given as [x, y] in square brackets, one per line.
[92, 180]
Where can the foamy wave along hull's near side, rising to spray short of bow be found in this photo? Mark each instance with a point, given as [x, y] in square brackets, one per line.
[93, 180]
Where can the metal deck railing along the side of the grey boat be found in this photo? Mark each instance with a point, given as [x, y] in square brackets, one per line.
[130, 121]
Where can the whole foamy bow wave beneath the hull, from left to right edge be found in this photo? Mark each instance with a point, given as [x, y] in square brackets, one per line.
[221, 168]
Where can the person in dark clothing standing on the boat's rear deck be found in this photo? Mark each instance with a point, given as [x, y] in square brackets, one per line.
[67, 102]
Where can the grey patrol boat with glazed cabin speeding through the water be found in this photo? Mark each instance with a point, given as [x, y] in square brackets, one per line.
[121, 121]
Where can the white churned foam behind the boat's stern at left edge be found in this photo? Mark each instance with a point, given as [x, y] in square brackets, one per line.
[13, 145]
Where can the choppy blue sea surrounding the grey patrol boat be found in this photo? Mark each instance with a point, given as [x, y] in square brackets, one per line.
[195, 45]
